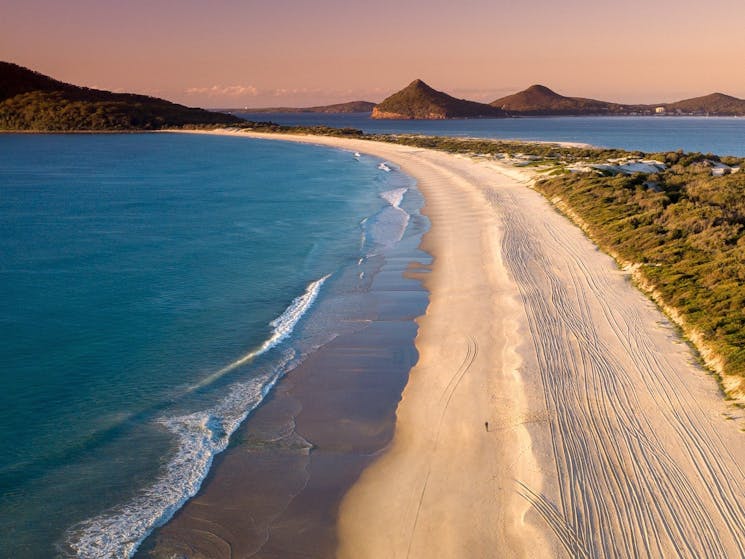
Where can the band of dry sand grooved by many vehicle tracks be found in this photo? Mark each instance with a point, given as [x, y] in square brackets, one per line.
[622, 490]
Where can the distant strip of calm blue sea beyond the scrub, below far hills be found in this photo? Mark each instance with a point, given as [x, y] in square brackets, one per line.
[719, 135]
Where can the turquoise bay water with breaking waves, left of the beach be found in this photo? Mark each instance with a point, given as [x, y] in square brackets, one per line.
[152, 289]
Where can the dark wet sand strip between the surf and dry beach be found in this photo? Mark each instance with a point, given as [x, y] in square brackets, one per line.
[308, 441]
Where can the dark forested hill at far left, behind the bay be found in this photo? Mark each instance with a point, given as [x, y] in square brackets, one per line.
[34, 102]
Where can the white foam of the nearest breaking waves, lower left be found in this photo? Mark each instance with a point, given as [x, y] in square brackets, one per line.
[200, 436]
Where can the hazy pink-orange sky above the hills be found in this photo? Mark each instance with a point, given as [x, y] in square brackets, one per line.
[269, 53]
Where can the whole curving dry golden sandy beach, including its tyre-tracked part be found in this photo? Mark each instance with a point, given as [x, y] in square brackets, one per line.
[553, 411]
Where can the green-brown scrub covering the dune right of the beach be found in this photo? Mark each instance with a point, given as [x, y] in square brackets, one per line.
[681, 233]
